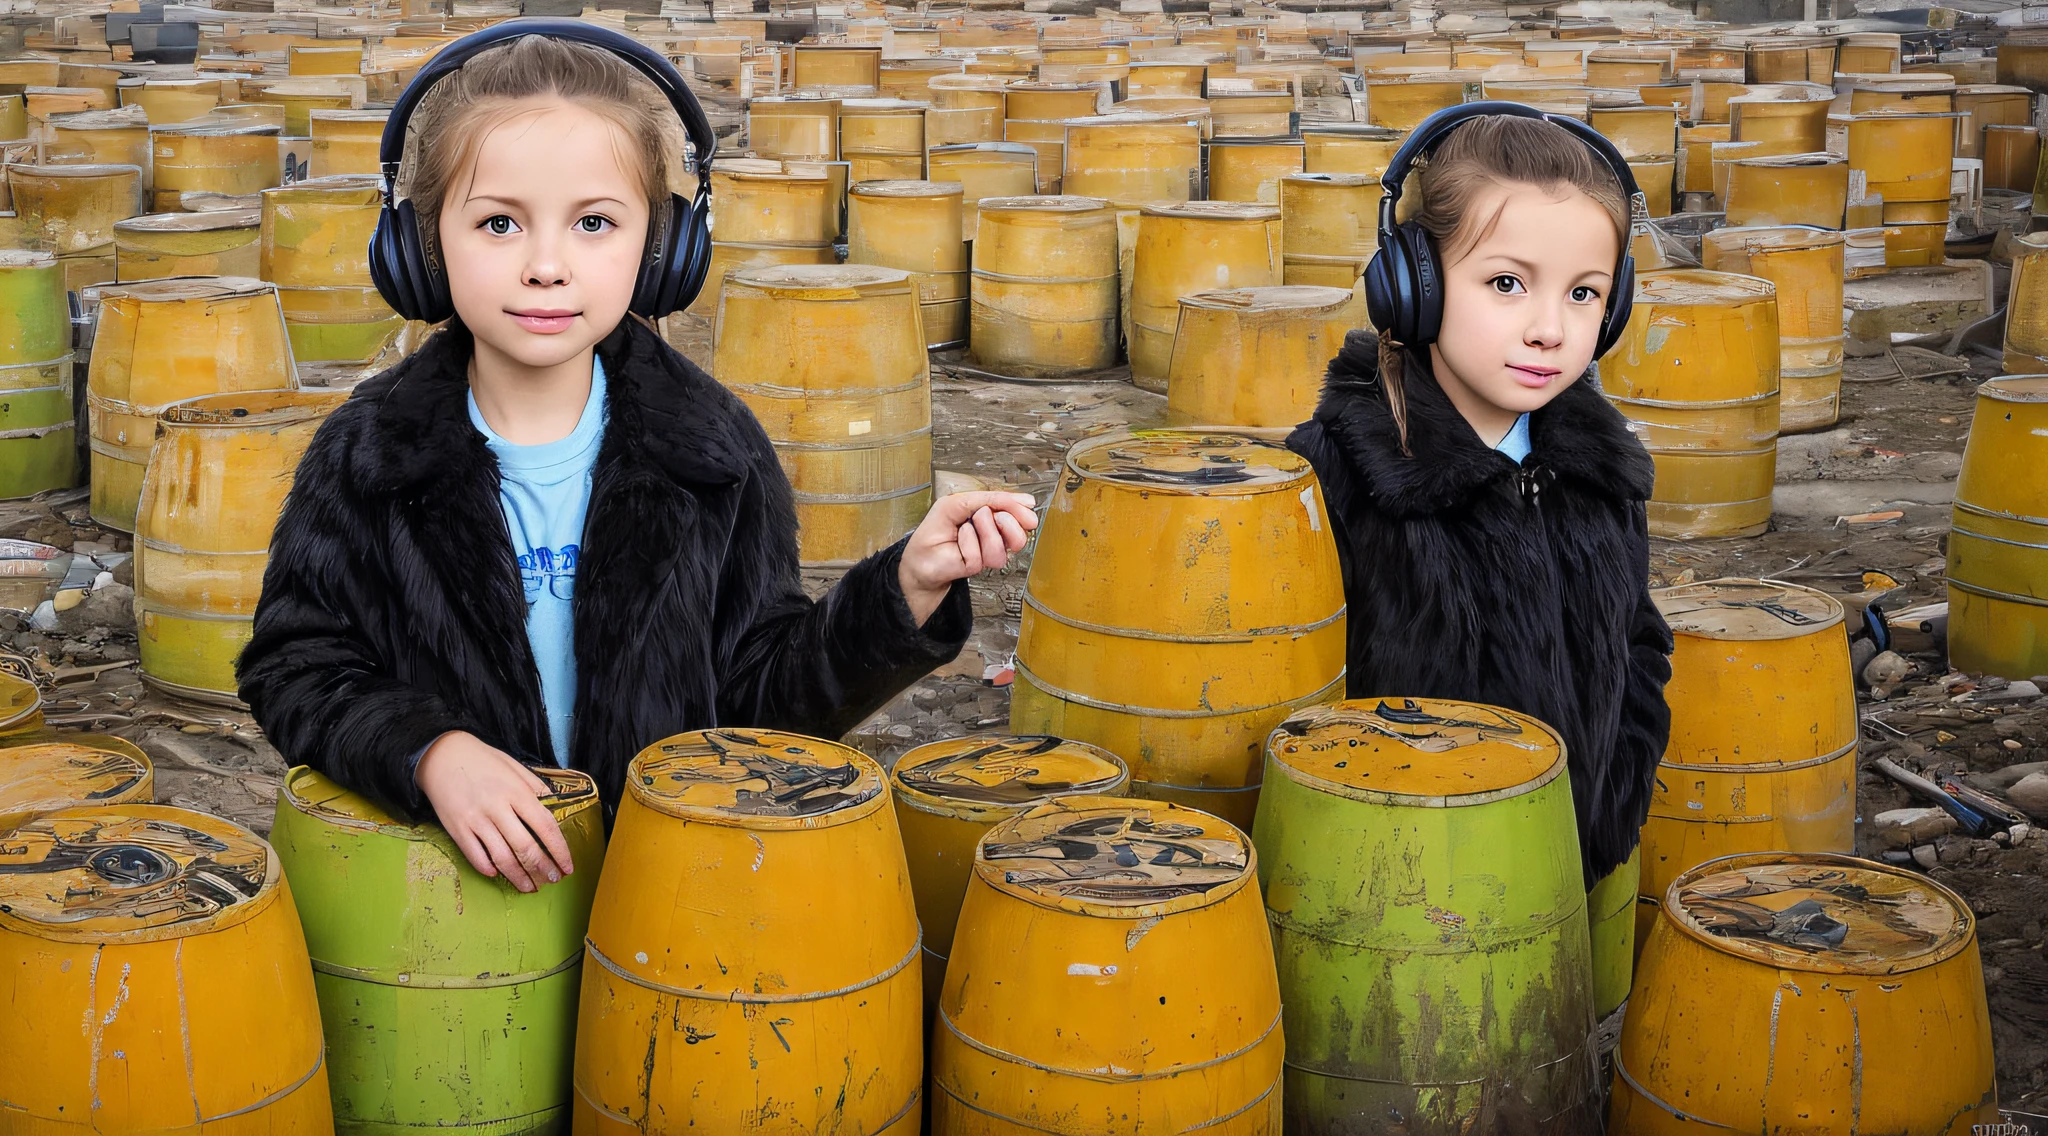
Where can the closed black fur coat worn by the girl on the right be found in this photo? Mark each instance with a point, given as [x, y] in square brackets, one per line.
[1523, 588]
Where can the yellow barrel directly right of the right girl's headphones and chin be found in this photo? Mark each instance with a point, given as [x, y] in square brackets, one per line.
[1697, 376]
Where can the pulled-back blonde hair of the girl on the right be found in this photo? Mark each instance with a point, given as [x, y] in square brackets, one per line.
[1474, 159]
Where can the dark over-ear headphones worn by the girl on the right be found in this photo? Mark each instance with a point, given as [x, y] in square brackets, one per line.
[1404, 283]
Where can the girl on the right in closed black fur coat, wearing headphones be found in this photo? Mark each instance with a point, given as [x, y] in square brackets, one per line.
[1488, 503]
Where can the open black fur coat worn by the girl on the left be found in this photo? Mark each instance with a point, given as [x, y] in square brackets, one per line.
[392, 611]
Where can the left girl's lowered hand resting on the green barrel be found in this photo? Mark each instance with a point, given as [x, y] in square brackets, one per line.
[493, 807]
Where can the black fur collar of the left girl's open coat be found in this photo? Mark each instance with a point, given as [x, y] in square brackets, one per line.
[660, 410]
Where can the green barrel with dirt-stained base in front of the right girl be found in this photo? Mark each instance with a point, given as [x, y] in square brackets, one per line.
[1420, 863]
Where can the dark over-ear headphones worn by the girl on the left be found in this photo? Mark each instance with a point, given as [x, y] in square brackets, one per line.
[679, 238]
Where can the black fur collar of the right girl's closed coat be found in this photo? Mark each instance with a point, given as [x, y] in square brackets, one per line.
[1580, 437]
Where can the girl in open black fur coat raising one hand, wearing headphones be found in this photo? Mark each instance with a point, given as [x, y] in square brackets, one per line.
[548, 537]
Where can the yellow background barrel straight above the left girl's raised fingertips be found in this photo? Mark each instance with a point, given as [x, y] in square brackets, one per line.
[1043, 290]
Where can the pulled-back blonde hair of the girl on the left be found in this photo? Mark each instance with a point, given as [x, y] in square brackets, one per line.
[452, 124]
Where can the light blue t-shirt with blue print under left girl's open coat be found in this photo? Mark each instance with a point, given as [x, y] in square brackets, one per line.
[546, 494]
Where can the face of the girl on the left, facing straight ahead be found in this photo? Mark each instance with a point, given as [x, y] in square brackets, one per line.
[544, 234]
